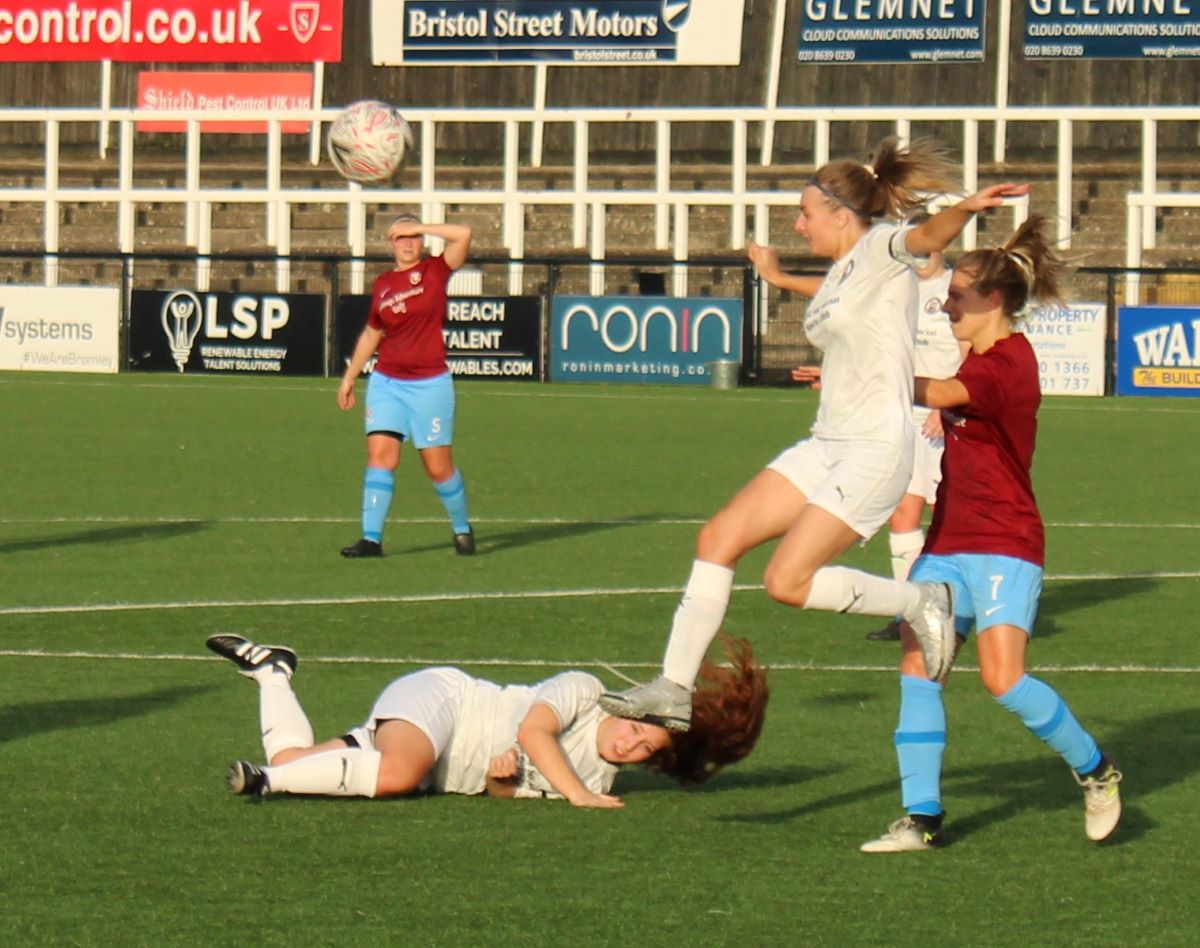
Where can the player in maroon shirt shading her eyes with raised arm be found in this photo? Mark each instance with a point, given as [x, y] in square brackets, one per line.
[411, 394]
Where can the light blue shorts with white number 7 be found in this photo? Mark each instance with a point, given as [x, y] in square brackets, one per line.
[991, 590]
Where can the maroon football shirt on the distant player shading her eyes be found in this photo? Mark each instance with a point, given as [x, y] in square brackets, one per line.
[410, 307]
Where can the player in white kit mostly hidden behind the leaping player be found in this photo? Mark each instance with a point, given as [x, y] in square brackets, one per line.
[938, 355]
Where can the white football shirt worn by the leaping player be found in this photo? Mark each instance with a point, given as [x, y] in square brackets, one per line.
[865, 320]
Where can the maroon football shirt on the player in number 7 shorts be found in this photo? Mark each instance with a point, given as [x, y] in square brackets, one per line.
[986, 501]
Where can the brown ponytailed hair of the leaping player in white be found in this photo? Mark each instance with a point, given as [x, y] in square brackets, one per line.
[895, 183]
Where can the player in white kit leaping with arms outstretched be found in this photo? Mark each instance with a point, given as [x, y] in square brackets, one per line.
[841, 485]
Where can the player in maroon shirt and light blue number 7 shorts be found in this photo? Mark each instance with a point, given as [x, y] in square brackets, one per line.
[987, 542]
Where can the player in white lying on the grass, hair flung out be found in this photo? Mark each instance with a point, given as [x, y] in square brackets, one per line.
[445, 731]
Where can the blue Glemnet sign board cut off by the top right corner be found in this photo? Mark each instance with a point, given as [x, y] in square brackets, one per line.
[1112, 29]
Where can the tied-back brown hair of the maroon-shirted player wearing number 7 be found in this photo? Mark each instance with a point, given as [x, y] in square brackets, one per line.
[1025, 267]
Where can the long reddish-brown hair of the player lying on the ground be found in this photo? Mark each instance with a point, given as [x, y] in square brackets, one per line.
[728, 711]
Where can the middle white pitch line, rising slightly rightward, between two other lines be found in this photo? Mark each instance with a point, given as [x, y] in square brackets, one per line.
[479, 597]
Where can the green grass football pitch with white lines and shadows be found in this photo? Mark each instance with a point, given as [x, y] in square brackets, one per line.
[142, 514]
